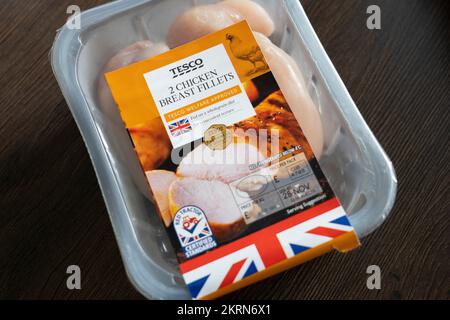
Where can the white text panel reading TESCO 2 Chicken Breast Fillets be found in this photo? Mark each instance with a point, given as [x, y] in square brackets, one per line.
[193, 93]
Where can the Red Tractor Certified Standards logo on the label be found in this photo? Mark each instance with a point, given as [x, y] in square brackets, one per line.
[193, 231]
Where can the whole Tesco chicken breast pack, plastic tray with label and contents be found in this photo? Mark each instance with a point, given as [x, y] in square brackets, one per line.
[226, 151]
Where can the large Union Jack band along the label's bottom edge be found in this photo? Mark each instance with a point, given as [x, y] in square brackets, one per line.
[258, 251]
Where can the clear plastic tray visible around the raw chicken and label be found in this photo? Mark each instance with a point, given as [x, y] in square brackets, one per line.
[359, 171]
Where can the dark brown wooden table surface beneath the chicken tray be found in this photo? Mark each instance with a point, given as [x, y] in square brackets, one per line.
[52, 213]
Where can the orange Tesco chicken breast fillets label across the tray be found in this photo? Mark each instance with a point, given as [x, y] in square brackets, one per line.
[235, 181]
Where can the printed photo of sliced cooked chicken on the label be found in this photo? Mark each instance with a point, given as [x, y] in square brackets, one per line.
[256, 173]
